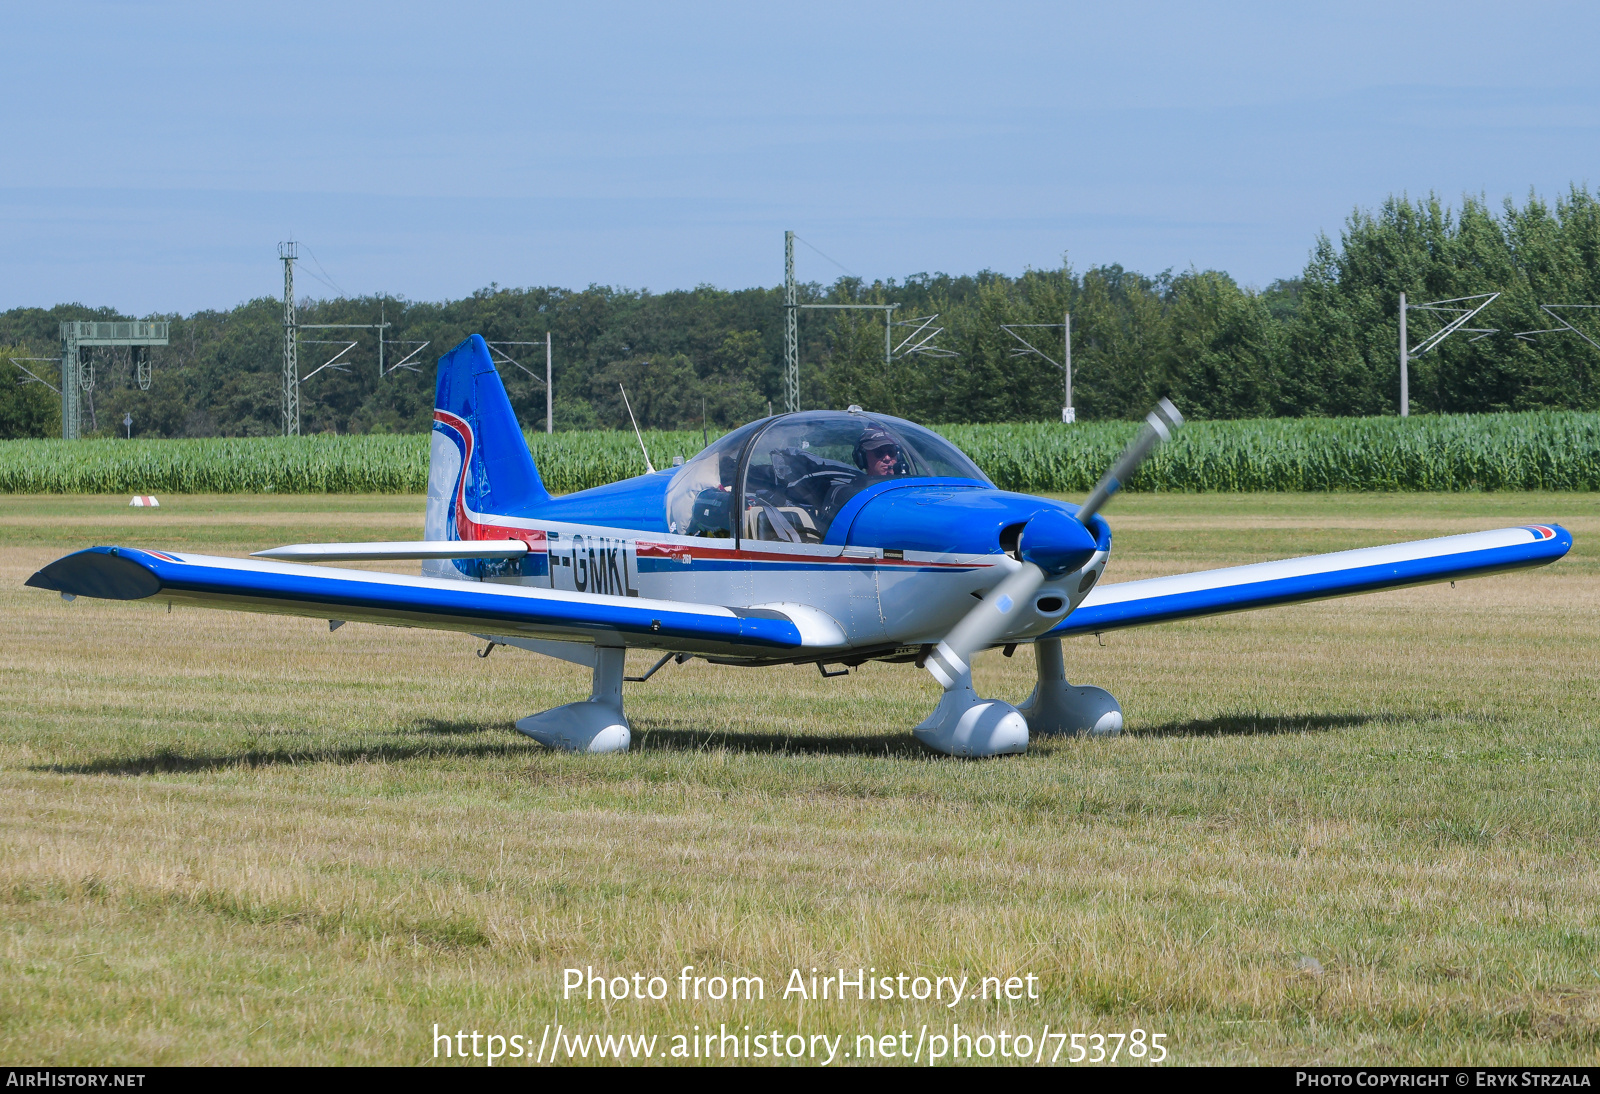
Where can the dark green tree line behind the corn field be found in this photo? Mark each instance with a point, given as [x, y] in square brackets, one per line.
[1319, 345]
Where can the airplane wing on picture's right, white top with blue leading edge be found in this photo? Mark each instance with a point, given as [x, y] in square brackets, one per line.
[1214, 593]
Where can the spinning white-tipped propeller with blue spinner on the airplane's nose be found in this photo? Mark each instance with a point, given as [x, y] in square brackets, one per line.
[1052, 545]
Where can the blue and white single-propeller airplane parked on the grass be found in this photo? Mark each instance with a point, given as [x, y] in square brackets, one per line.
[828, 538]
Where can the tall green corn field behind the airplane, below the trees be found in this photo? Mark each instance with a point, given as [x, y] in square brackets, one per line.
[1542, 450]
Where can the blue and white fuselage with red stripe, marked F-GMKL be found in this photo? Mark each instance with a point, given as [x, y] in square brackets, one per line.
[900, 565]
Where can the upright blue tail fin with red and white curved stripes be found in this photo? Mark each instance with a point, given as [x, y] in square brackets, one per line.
[479, 461]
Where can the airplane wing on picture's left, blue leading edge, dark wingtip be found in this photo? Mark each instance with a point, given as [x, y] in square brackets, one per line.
[124, 573]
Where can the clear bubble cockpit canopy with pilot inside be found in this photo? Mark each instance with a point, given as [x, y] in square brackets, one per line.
[788, 477]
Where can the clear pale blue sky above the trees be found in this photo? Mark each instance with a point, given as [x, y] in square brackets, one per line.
[158, 153]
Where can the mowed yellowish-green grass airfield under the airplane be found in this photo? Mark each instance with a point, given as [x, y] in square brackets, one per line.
[244, 839]
